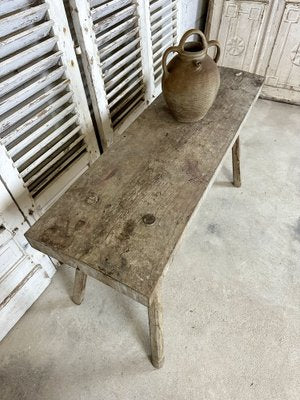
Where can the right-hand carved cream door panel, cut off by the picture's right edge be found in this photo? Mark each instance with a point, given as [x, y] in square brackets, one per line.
[283, 74]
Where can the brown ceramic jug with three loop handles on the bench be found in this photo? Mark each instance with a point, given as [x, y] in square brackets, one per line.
[191, 79]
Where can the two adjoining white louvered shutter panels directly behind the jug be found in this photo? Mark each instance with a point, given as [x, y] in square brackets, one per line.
[122, 66]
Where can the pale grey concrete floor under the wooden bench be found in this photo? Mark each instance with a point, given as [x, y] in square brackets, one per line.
[231, 299]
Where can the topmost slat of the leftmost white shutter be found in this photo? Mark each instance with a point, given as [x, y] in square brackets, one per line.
[22, 19]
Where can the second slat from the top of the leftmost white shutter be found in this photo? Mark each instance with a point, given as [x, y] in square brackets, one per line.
[23, 39]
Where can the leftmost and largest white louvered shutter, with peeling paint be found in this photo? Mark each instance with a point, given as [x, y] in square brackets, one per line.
[46, 134]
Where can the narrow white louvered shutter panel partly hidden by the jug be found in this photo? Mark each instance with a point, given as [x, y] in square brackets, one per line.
[164, 28]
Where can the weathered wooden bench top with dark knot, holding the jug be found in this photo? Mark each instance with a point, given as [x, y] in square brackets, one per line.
[158, 167]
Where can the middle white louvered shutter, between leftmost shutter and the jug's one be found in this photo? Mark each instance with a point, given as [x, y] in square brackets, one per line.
[109, 36]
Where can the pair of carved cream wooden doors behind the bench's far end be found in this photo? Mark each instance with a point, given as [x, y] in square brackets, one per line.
[260, 36]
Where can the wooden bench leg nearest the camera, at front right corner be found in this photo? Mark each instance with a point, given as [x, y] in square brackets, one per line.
[156, 330]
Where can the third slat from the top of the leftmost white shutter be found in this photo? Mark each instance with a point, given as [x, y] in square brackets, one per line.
[26, 56]
